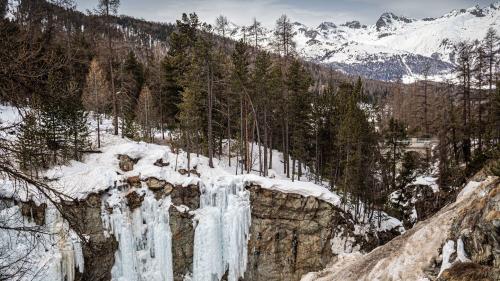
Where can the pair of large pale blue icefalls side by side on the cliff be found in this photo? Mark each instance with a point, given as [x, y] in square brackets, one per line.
[222, 224]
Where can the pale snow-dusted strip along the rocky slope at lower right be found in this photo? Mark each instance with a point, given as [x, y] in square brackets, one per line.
[408, 256]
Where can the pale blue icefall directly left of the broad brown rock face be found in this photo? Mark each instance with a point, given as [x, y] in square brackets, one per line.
[222, 231]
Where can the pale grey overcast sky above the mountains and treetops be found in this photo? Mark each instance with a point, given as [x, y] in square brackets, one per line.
[309, 12]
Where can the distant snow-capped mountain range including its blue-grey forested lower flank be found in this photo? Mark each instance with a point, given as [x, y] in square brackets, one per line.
[395, 46]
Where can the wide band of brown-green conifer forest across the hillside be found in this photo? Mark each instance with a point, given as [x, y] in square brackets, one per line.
[237, 101]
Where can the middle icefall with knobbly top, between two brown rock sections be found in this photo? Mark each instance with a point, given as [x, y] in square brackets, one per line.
[144, 238]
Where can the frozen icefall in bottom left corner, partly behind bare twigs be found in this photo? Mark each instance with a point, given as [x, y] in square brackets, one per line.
[53, 251]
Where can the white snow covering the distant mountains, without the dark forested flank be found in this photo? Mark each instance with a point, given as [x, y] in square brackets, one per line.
[397, 41]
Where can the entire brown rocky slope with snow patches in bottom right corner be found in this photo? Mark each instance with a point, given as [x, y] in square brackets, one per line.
[428, 250]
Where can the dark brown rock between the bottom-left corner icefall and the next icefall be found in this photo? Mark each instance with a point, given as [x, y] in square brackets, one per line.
[99, 251]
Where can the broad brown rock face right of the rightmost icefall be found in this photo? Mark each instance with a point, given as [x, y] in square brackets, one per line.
[290, 234]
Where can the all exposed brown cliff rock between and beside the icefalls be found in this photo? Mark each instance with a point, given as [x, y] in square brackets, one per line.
[290, 234]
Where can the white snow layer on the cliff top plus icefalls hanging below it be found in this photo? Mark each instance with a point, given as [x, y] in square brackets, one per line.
[222, 223]
